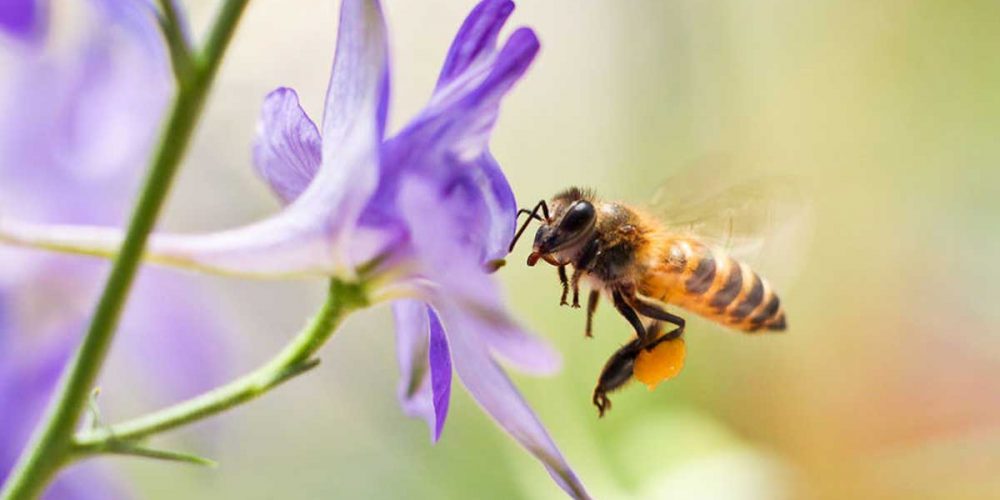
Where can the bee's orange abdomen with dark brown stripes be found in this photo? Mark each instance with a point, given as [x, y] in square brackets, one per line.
[716, 286]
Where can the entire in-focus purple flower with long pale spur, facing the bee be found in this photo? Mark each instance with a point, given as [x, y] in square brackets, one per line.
[422, 212]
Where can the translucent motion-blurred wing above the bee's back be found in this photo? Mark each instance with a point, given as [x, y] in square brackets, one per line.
[763, 220]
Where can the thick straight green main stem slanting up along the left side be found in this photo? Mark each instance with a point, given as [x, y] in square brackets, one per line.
[51, 445]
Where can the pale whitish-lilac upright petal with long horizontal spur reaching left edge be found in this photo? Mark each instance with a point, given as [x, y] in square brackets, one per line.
[310, 236]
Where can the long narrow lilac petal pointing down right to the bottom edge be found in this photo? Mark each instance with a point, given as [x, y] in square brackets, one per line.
[498, 397]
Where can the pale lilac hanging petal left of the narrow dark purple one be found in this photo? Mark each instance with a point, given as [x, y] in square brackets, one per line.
[412, 347]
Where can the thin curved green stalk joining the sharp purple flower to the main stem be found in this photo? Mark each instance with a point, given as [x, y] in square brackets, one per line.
[294, 359]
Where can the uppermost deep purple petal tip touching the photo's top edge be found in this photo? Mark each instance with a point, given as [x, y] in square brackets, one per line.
[476, 39]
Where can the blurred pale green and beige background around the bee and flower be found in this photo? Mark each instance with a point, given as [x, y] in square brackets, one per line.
[885, 385]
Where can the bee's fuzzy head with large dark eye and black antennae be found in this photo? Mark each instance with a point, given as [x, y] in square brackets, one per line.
[569, 219]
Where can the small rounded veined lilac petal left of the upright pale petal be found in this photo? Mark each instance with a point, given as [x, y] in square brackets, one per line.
[287, 149]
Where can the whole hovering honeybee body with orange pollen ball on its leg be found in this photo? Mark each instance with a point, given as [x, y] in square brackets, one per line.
[643, 265]
